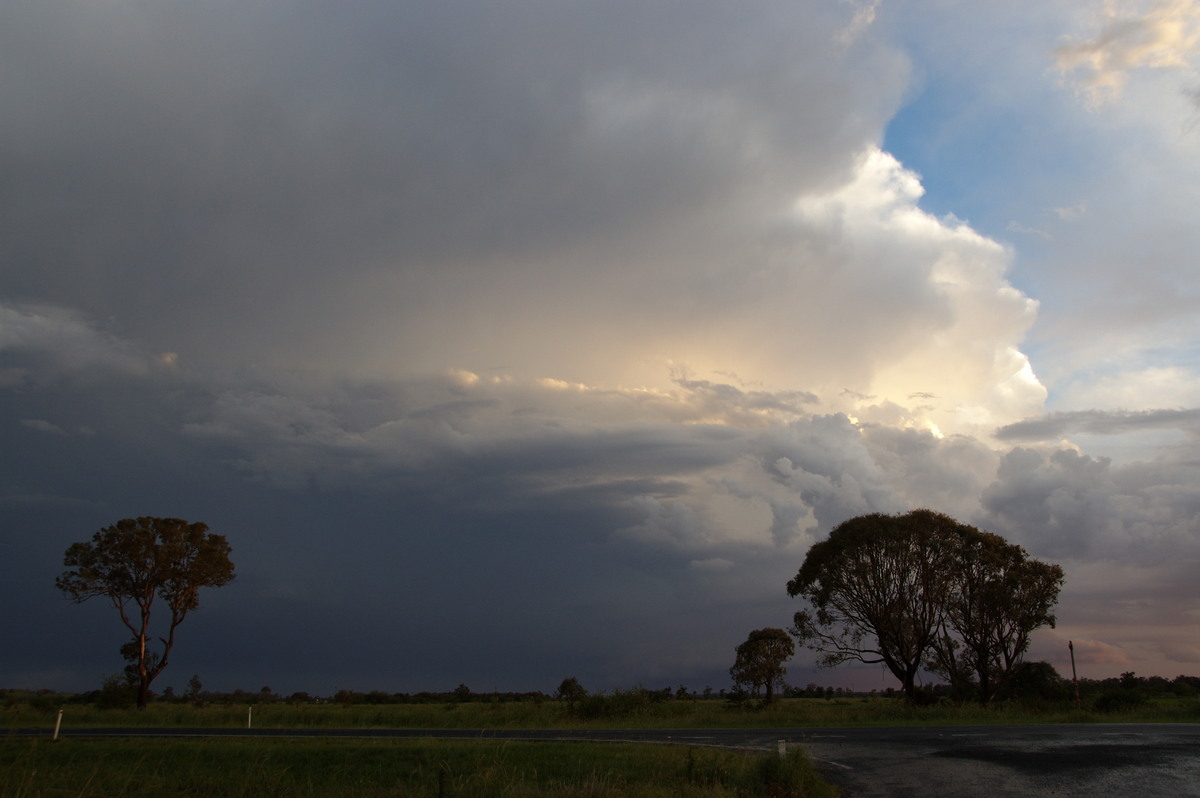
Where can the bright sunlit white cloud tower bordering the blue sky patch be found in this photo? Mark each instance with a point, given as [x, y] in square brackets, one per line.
[953, 323]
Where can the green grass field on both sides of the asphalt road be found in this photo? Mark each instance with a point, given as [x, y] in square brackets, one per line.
[320, 769]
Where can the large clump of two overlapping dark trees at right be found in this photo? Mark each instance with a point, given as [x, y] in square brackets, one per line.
[919, 591]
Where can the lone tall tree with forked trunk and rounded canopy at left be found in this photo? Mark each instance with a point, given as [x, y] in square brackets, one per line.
[137, 561]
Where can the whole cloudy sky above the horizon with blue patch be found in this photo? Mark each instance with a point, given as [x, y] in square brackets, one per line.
[513, 343]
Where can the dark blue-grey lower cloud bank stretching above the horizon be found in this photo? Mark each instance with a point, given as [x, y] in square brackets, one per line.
[424, 508]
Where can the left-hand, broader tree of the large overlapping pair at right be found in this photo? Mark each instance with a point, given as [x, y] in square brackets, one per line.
[878, 587]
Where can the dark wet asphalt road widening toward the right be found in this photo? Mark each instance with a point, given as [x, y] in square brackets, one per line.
[1065, 761]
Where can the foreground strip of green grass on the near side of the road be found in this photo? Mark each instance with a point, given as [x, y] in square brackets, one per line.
[315, 769]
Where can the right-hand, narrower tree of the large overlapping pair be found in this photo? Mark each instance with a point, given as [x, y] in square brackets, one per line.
[1000, 597]
